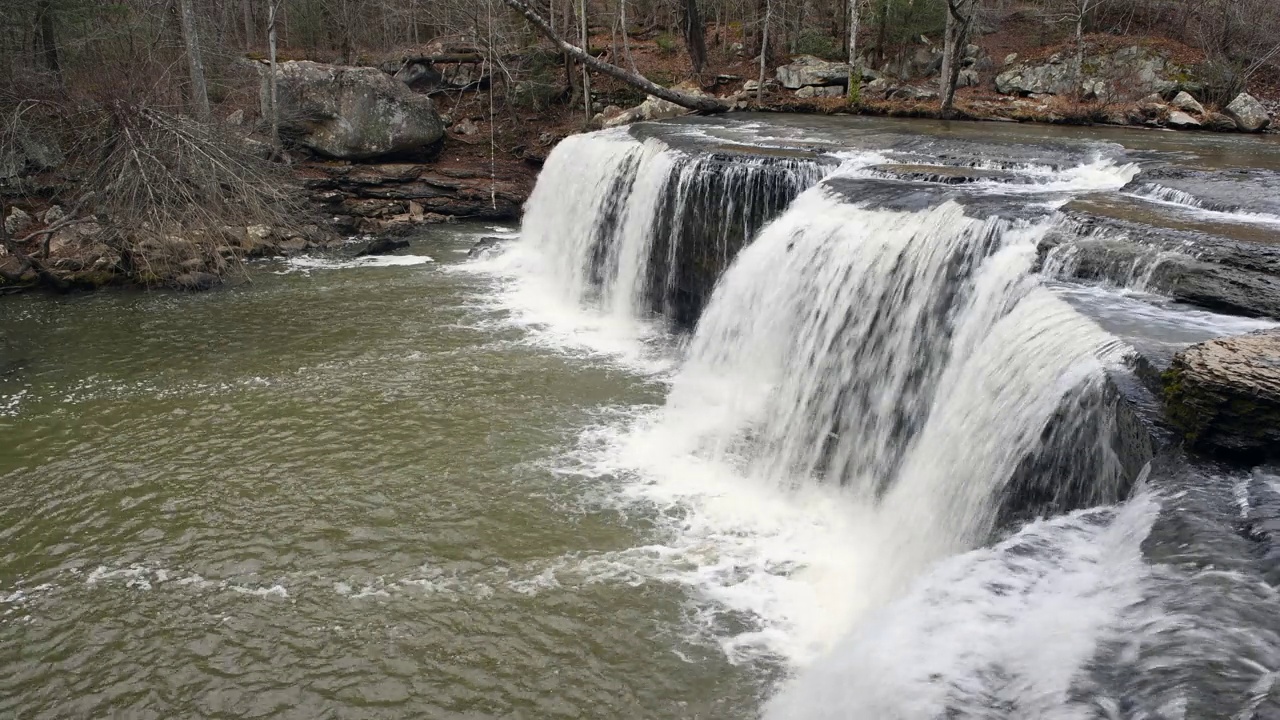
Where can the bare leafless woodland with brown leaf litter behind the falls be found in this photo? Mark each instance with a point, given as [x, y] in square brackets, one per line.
[130, 101]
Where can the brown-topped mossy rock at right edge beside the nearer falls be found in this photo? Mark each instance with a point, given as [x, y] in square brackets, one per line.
[1224, 397]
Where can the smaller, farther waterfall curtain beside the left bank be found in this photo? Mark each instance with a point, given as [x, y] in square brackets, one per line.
[634, 227]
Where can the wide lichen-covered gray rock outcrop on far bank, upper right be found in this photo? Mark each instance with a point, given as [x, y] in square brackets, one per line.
[1136, 71]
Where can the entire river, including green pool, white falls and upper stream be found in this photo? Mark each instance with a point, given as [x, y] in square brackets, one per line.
[876, 473]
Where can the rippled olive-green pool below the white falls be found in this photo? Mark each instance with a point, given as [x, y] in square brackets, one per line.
[330, 494]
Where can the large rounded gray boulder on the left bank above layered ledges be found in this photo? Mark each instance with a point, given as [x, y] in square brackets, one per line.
[353, 113]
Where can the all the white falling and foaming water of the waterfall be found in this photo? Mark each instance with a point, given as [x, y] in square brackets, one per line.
[880, 403]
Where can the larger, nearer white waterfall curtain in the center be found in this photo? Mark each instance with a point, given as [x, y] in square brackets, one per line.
[908, 362]
